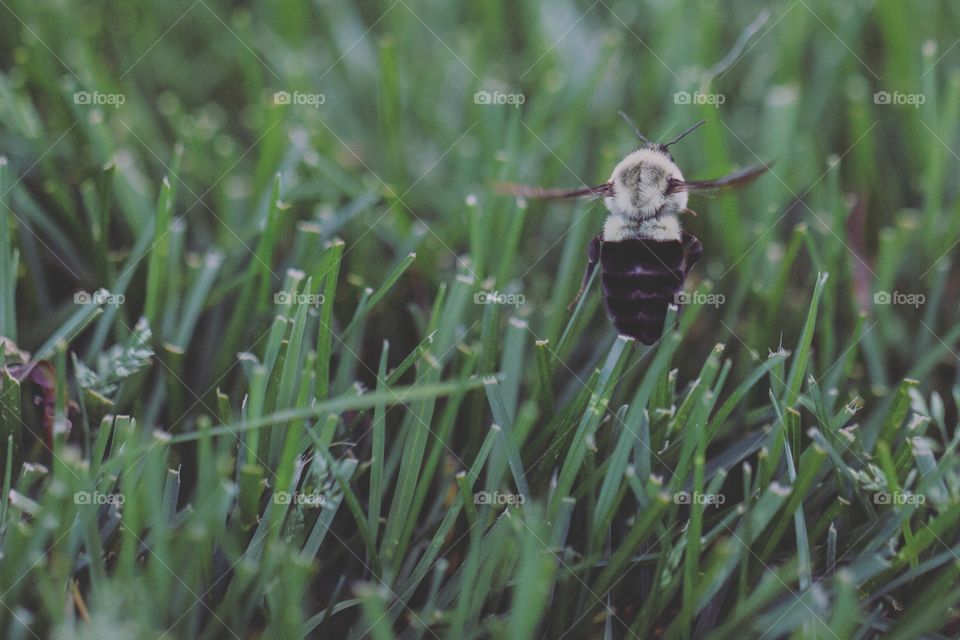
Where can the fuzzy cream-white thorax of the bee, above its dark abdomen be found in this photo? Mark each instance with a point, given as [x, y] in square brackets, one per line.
[640, 205]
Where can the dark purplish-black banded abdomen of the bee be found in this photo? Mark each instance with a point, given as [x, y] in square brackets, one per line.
[640, 279]
